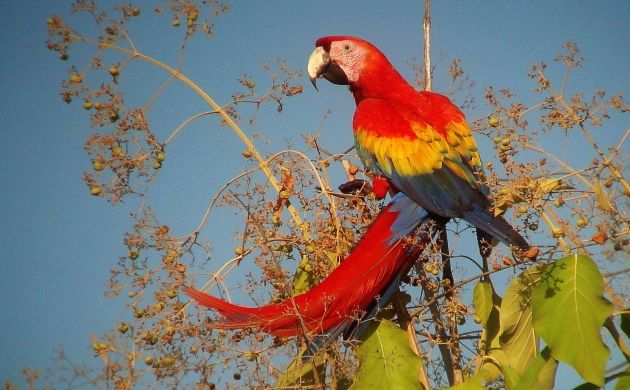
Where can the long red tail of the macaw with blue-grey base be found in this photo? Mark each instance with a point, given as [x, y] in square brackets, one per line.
[379, 260]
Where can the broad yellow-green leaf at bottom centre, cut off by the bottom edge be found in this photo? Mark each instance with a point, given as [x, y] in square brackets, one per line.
[386, 361]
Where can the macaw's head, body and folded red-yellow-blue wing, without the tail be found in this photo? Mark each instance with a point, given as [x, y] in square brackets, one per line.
[418, 140]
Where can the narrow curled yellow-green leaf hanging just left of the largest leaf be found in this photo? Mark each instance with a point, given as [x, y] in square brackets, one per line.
[517, 337]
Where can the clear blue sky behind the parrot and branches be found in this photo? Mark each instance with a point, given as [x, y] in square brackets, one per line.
[58, 243]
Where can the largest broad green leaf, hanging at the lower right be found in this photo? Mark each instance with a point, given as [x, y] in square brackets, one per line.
[569, 310]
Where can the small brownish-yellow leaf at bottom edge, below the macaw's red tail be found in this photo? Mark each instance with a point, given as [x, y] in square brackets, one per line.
[303, 374]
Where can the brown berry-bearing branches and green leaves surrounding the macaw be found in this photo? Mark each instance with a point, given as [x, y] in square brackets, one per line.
[576, 214]
